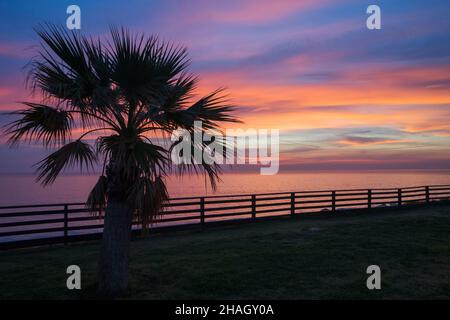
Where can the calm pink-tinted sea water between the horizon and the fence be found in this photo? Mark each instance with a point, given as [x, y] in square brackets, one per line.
[22, 189]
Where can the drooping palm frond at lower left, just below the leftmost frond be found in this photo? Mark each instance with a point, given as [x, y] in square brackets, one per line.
[71, 154]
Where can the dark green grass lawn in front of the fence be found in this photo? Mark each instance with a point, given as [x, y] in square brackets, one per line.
[315, 258]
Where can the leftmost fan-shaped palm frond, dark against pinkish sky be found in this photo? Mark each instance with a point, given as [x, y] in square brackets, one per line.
[40, 122]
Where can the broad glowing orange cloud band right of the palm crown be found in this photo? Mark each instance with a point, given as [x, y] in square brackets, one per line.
[373, 93]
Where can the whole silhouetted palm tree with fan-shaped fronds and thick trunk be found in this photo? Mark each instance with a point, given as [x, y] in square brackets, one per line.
[115, 102]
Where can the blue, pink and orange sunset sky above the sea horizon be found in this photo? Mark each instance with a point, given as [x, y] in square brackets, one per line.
[342, 96]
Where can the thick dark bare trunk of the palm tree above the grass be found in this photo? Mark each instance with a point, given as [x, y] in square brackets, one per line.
[114, 255]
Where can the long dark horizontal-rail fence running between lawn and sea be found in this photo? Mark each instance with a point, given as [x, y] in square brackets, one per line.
[26, 225]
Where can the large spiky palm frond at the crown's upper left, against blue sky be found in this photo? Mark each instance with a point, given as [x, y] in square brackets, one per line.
[75, 71]
